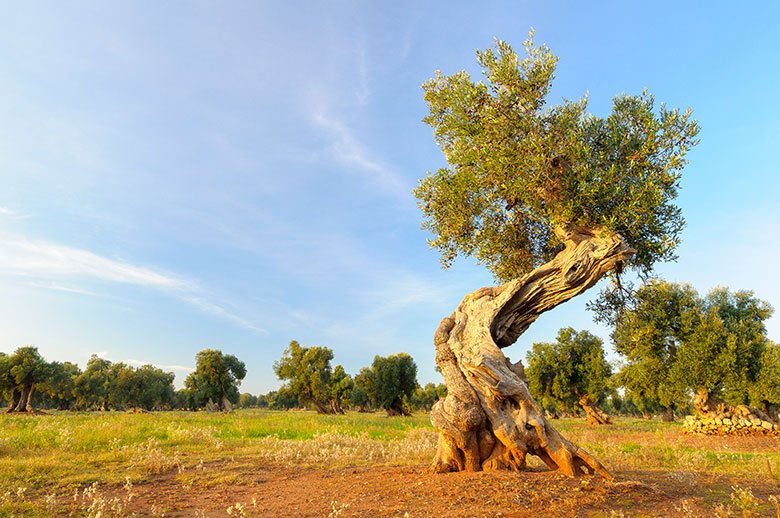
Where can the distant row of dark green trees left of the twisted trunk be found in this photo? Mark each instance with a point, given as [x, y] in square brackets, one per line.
[28, 381]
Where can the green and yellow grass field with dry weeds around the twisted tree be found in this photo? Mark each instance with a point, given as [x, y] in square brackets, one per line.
[101, 464]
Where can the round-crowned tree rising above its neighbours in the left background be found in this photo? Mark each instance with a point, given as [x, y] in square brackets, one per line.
[216, 375]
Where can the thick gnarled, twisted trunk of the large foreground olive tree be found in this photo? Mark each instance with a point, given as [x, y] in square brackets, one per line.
[489, 419]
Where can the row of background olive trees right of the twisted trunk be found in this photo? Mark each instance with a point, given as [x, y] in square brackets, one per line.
[678, 350]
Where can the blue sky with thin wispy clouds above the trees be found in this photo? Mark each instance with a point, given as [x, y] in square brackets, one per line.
[176, 176]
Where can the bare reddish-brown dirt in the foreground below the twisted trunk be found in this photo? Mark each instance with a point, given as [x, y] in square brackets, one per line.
[414, 492]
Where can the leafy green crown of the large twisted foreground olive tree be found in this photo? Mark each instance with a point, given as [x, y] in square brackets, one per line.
[518, 170]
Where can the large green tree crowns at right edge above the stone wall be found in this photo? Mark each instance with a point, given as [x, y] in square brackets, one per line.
[674, 341]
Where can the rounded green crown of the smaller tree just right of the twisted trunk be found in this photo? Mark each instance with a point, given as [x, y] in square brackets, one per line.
[567, 369]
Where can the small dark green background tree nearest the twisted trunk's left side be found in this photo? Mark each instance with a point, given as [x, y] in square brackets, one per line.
[393, 379]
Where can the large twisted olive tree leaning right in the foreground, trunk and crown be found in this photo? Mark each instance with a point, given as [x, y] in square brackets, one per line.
[550, 199]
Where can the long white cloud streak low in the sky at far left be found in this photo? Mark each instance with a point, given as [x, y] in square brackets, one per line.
[48, 263]
